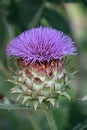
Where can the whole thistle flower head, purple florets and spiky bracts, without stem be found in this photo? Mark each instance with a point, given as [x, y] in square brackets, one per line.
[40, 53]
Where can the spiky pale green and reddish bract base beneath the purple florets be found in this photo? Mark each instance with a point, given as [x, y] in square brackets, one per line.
[38, 84]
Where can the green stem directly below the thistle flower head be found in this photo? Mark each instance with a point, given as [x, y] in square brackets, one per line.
[50, 119]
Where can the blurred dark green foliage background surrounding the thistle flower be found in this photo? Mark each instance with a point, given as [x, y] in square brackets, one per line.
[69, 16]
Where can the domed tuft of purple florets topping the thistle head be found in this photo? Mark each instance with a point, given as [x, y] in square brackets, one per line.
[41, 44]
